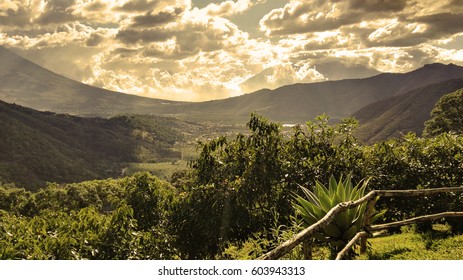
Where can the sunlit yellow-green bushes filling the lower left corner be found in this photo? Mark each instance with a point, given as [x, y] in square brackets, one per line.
[108, 219]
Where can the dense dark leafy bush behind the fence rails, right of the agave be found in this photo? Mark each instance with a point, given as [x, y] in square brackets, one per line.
[414, 162]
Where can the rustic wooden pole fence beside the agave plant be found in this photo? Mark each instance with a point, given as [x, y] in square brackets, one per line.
[305, 235]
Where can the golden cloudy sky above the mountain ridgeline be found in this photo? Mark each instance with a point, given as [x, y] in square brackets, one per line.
[195, 50]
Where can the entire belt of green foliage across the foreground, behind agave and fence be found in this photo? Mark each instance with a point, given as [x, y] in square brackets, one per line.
[237, 191]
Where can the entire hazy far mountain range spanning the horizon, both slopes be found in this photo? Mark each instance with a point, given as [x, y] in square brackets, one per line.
[28, 84]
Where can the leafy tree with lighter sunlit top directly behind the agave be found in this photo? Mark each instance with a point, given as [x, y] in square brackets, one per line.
[319, 150]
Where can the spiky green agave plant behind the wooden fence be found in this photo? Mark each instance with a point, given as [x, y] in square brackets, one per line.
[318, 201]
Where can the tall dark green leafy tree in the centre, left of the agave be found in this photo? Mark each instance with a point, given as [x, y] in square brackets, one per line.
[237, 185]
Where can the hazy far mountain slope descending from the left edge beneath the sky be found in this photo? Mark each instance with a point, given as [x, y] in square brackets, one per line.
[30, 85]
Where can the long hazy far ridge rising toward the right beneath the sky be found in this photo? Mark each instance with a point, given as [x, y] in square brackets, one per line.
[339, 99]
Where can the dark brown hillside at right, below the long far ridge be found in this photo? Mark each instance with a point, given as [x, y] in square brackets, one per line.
[404, 113]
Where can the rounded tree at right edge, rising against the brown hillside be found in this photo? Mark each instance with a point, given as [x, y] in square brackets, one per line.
[447, 115]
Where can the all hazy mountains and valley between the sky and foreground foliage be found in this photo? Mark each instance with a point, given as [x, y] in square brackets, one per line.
[111, 131]
